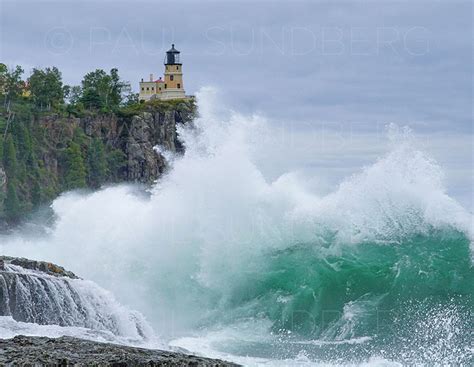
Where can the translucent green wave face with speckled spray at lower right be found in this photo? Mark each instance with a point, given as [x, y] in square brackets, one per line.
[410, 302]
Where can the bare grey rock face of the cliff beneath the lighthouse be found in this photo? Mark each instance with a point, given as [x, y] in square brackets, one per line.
[136, 135]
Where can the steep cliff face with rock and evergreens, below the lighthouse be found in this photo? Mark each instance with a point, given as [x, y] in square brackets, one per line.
[46, 154]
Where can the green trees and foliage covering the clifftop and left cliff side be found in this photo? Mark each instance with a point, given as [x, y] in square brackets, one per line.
[45, 152]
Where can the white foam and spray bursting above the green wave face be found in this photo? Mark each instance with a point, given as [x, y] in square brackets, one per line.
[212, 216]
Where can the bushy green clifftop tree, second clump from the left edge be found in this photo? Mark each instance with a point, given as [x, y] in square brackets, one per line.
[46, 87]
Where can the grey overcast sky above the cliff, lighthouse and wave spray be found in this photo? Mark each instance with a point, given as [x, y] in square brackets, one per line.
[344, 66]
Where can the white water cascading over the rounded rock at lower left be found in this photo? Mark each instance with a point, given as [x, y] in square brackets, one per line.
[41, 293]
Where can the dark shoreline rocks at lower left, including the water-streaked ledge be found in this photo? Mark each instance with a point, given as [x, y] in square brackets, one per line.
[42, 293]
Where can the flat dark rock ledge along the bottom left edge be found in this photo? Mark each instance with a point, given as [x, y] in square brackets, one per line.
[68, 351]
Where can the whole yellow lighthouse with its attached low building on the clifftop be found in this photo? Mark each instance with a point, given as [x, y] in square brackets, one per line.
[172, 85]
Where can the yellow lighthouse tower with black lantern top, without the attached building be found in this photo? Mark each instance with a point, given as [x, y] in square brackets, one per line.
[173, 87]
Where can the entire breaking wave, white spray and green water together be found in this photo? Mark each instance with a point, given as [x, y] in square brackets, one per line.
[223, 261]
